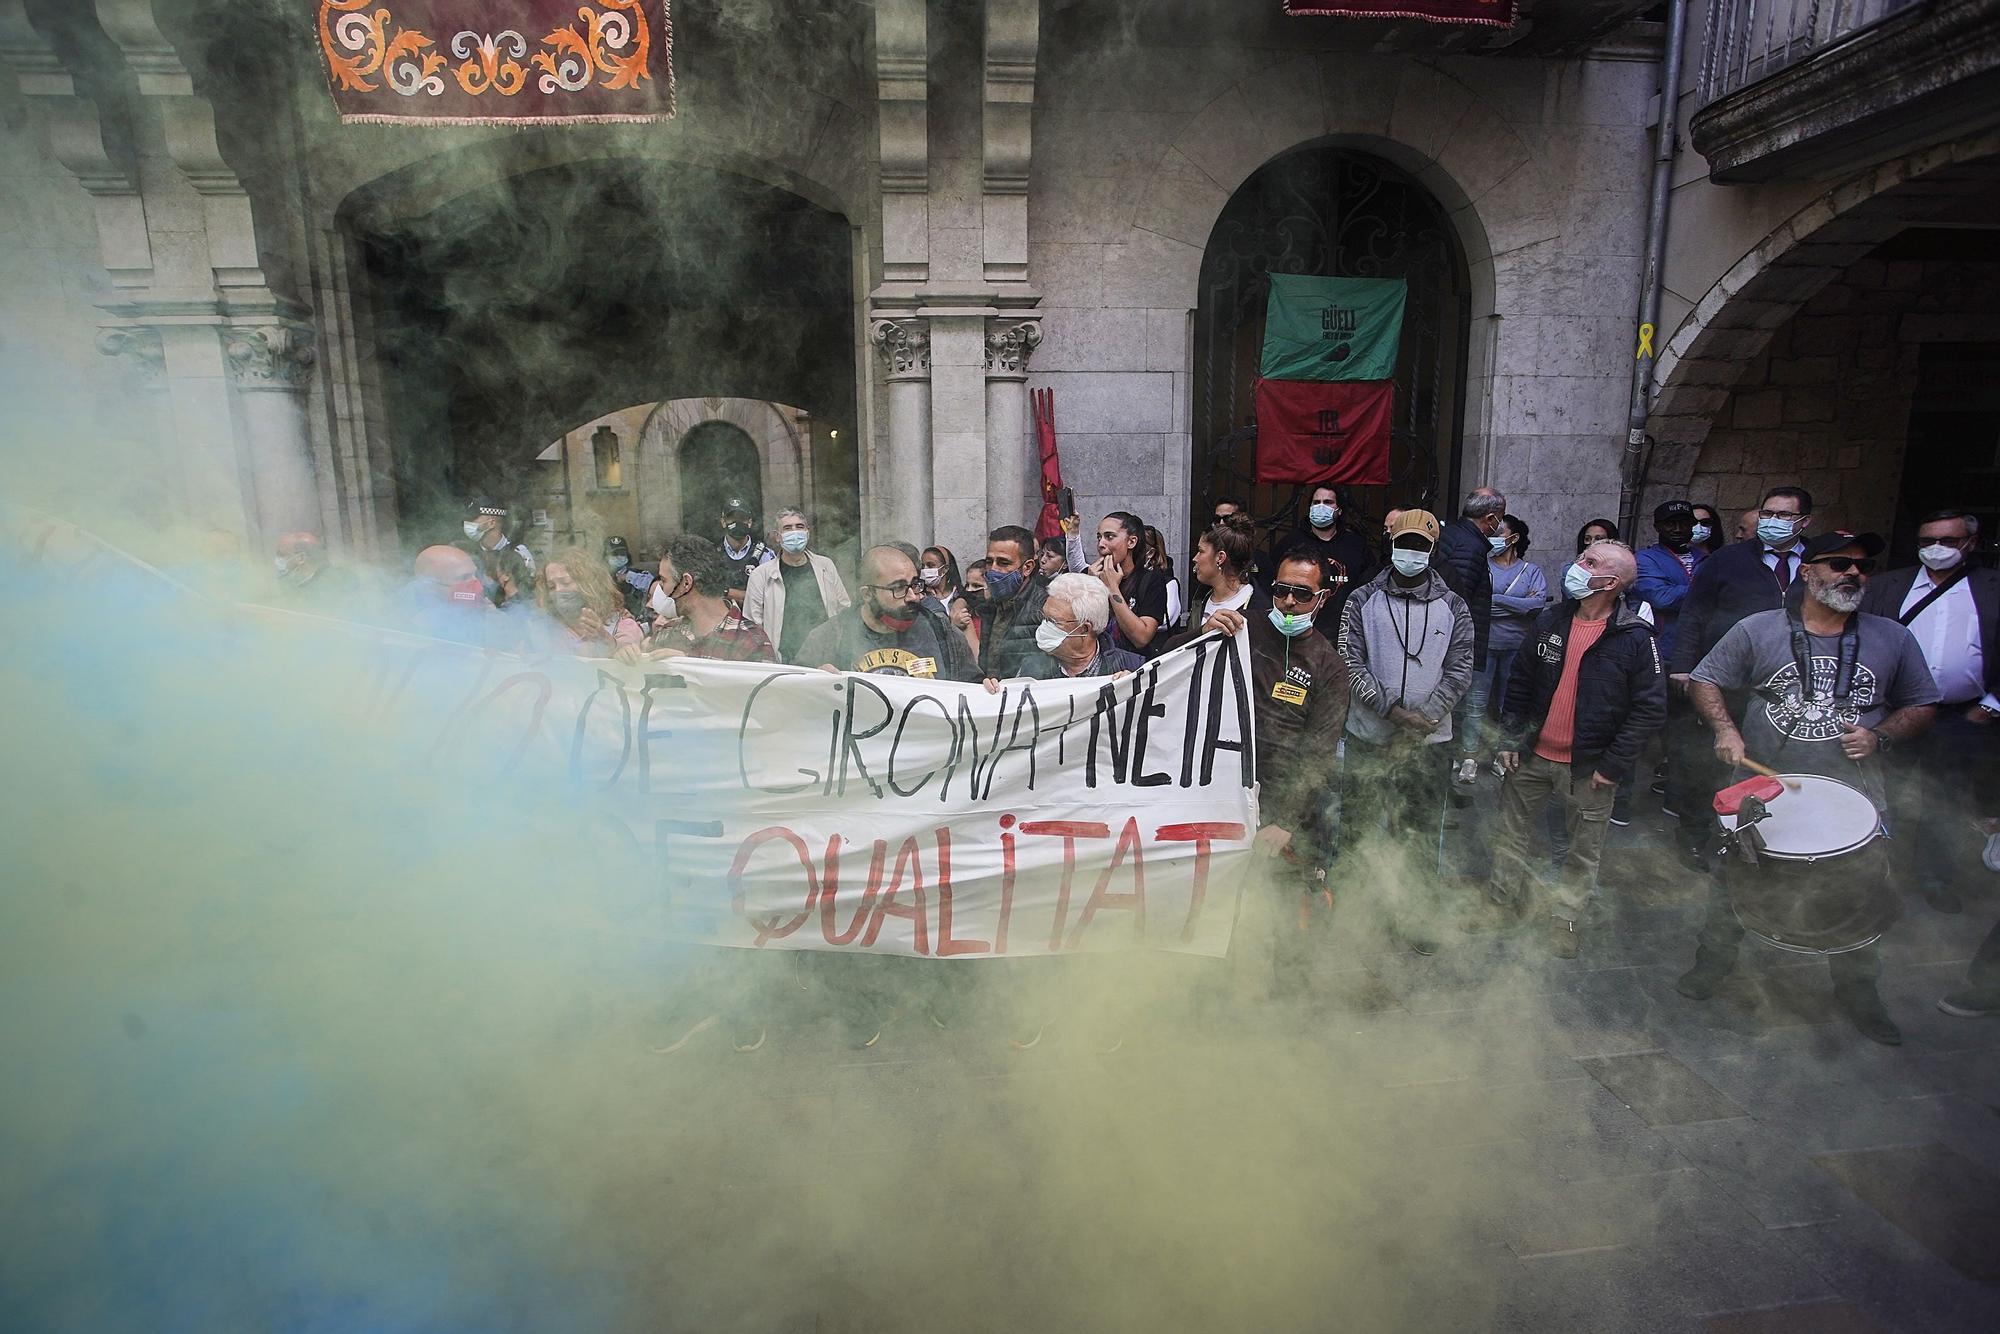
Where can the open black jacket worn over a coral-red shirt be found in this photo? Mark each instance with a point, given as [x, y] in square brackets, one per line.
[1621, 691]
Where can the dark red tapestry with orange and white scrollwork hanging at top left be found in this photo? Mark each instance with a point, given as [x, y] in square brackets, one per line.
[499, 61]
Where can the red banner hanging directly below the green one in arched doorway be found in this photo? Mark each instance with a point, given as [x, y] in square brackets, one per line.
[1317, 431]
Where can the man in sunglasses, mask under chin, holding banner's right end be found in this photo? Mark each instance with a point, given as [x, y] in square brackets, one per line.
[1299, 687]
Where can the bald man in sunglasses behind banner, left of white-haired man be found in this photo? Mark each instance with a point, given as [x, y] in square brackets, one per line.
[891, 629]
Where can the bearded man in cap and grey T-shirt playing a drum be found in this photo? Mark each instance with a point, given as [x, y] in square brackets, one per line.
[1829, 691]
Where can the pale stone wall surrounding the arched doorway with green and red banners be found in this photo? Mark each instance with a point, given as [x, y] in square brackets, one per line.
[1541, 167]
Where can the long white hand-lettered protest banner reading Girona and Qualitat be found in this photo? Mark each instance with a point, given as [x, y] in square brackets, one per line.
[791, 809]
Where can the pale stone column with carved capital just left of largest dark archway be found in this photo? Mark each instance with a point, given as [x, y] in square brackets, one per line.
[267, 369]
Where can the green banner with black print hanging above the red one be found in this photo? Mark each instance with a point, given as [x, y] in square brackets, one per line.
[1333, 329]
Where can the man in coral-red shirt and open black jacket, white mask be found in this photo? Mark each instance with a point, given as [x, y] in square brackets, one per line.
[1585, 697]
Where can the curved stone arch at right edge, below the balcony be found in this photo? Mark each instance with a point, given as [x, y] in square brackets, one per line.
[1731, 329]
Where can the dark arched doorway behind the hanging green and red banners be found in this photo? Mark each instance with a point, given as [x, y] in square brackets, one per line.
[1343, 215]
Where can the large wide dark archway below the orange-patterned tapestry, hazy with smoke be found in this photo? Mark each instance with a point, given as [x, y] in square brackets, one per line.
[509, 311]
